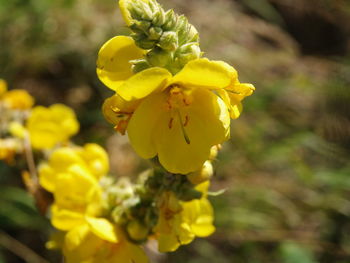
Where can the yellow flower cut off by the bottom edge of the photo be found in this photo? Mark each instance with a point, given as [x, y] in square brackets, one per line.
[88, 243]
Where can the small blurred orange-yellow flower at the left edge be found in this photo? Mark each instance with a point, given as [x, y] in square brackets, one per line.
[17, 99]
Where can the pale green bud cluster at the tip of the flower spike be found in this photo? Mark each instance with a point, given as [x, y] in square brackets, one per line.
[169, 38]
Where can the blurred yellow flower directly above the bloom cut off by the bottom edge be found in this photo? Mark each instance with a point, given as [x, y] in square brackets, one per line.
[72, 175]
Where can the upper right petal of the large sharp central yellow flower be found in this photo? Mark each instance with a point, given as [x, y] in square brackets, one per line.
[205, 73]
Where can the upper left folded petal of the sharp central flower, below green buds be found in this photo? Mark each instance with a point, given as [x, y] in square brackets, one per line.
[144, 83]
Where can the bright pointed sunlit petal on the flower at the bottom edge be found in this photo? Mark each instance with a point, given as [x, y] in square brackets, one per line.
[102, 228]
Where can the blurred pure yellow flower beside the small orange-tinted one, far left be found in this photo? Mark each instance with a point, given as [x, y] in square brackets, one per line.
[49, 126]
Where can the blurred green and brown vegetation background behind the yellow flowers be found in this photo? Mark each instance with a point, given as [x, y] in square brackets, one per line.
[286, 167]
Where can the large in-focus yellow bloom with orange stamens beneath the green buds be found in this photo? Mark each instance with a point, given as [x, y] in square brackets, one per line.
[179, 118]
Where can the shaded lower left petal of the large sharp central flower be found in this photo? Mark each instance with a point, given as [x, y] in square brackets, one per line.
[143, 123]
